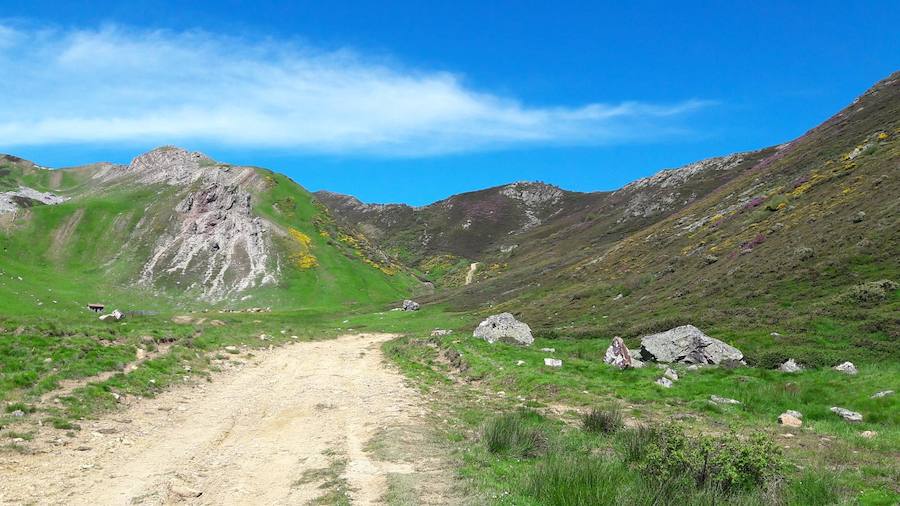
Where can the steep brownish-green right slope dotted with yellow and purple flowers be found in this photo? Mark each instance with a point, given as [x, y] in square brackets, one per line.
[798, 245]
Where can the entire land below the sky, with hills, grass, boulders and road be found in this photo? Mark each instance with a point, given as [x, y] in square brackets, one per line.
[724, 331]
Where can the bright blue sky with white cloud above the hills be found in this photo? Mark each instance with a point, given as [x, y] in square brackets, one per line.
[414, 101]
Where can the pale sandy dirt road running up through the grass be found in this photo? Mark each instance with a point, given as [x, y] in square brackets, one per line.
[294, 425]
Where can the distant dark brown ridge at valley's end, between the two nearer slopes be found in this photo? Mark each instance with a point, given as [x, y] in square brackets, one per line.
[526, 224]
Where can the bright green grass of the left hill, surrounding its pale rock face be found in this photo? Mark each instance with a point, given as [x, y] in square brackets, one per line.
[92, 247]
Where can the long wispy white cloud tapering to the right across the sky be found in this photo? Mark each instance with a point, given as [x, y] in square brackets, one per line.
[125, 85]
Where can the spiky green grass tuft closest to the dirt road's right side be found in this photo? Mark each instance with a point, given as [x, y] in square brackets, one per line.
[515, 434]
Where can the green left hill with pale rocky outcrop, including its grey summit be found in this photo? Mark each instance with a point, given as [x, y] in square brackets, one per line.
[175, 228]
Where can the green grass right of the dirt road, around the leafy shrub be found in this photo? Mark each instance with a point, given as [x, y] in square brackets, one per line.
[831, 461]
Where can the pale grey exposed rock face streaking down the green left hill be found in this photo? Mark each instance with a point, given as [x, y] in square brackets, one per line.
[215, 243]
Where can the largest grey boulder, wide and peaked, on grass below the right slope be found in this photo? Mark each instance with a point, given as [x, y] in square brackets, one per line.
[689, 345]
